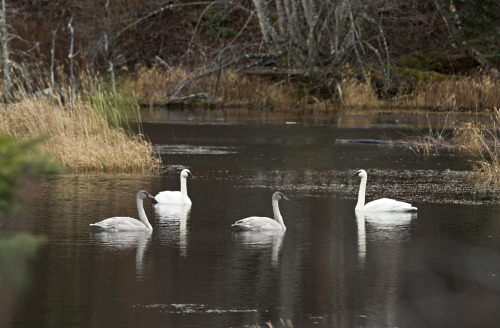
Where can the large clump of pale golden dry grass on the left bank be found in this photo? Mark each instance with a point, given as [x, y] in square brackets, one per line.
[78, 136]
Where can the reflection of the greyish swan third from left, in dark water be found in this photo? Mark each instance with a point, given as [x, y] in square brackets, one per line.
[261, 240]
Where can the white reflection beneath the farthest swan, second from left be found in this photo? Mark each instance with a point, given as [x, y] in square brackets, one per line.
[174, 220]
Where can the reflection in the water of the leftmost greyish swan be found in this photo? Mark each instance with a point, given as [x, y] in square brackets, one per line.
[127, 241]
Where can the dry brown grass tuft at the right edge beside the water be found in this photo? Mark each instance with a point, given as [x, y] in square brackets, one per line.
[484, 144]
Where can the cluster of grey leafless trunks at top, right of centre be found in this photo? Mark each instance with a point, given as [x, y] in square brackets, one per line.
[322, 33]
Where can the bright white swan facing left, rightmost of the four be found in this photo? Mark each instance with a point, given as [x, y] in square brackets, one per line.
[379, 205]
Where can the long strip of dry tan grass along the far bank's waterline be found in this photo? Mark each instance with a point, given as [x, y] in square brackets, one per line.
[473, 93]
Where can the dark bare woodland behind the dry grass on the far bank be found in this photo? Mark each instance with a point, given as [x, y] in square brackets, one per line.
[317, 45]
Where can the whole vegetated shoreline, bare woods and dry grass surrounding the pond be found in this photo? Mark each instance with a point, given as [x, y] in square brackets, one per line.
[76, 72]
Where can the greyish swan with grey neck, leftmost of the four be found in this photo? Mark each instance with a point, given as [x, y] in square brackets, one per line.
[120, 223]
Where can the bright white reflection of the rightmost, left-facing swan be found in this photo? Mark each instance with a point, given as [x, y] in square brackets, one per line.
[381, 226]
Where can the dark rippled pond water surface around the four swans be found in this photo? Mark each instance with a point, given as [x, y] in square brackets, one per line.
[331, 268]
